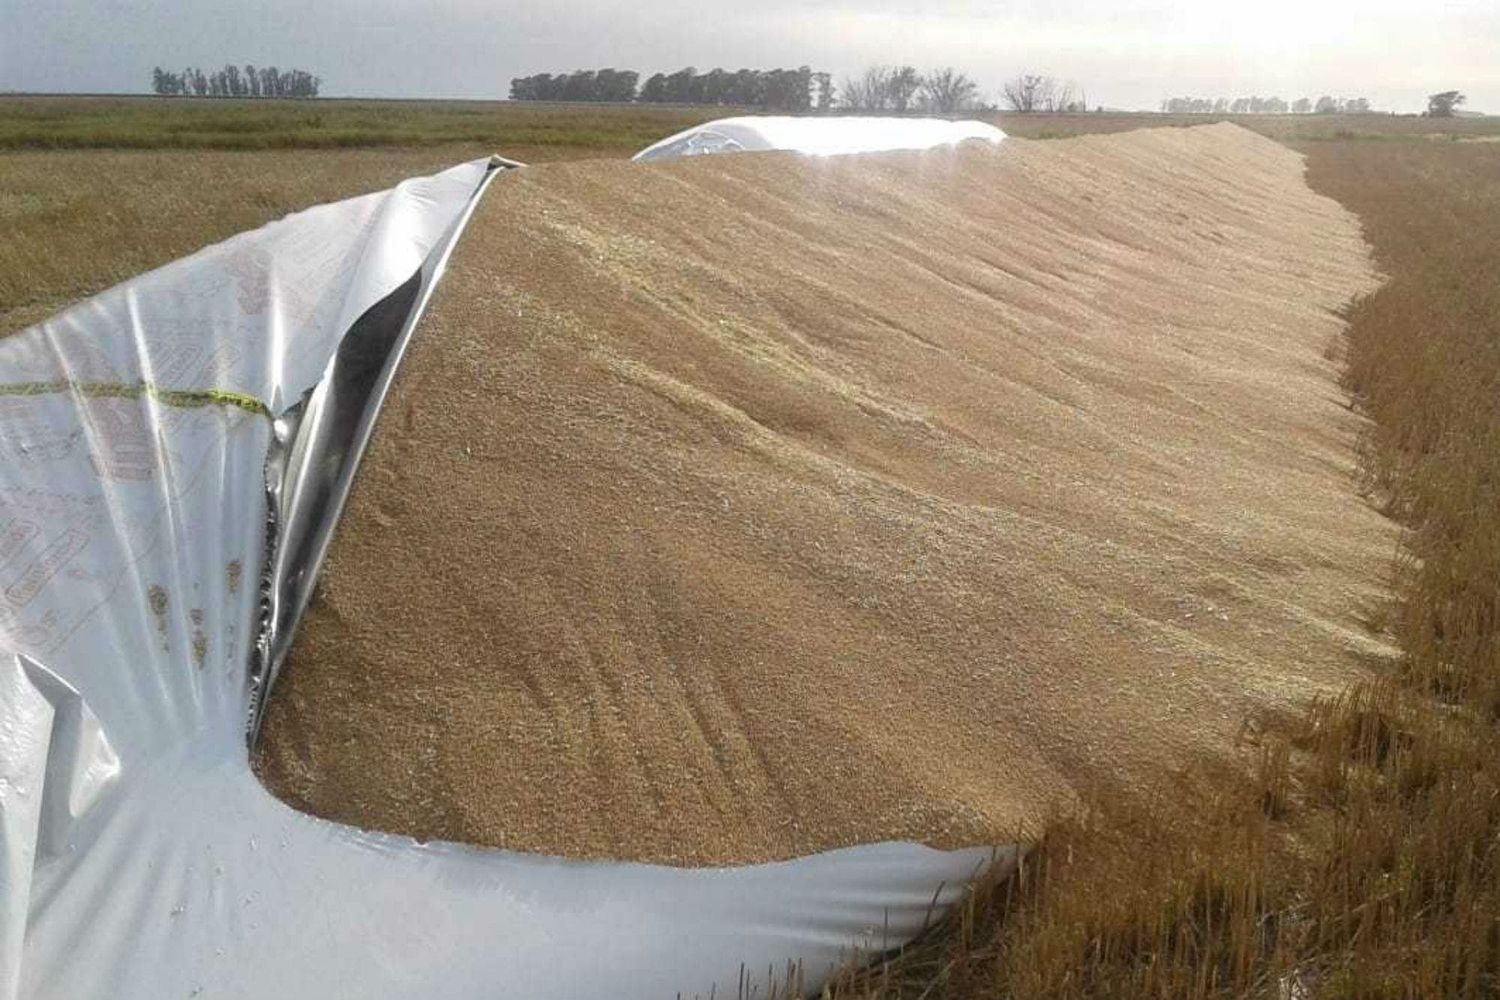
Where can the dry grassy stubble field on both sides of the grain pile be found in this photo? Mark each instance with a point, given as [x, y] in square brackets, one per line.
[1355, 851]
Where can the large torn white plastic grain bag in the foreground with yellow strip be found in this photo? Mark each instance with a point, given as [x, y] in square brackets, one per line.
[140, 858]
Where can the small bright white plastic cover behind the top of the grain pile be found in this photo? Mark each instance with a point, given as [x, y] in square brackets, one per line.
[818, 136]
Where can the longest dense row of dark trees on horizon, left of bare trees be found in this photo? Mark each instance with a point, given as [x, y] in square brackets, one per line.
[770, 89]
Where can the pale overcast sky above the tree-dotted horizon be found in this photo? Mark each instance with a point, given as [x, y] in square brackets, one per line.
[1123, 53]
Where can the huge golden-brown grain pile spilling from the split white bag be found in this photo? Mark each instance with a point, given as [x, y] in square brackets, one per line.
[752, 506]
